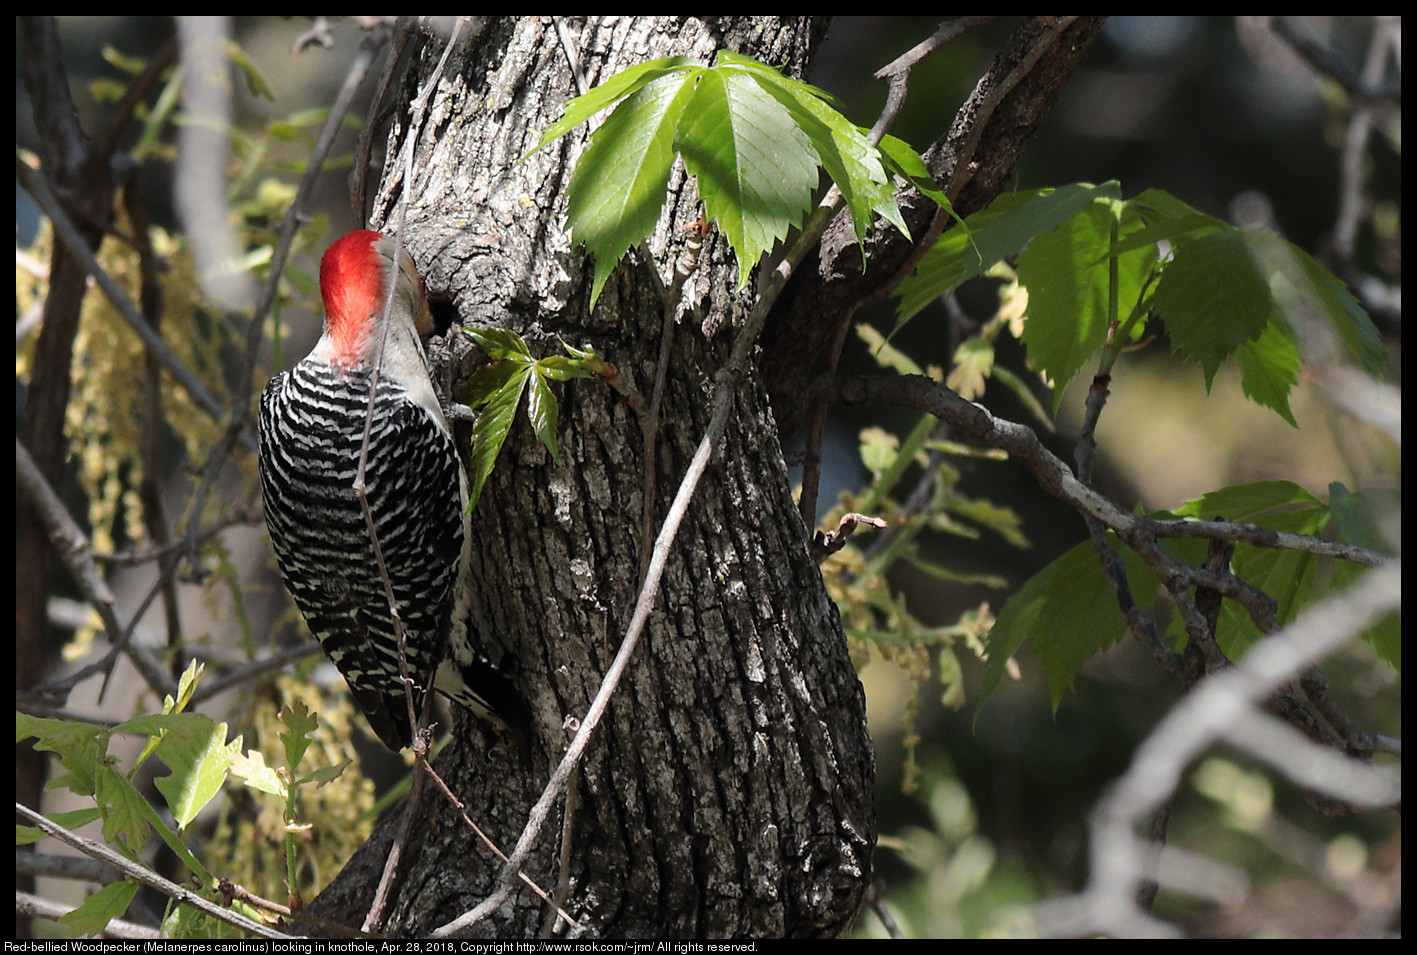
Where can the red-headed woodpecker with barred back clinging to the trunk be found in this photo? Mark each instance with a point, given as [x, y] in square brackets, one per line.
[311, 424]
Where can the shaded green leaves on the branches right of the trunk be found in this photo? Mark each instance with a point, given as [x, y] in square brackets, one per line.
[1095, 270]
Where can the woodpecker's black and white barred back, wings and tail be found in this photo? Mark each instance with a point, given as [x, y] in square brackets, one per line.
[311, 433]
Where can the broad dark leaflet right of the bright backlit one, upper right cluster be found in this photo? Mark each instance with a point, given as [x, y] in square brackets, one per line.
[1212, 300]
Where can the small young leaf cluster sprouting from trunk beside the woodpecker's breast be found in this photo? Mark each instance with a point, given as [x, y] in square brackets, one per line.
[498, 388]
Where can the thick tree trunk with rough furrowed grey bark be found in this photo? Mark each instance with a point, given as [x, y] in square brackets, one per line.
[729, 790]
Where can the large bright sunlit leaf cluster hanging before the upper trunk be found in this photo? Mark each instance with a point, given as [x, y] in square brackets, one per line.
[753, 140]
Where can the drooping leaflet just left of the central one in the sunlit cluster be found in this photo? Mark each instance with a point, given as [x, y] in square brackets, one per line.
[620, 182]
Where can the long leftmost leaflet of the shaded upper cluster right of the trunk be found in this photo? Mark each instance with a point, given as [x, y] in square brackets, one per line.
[994, 234]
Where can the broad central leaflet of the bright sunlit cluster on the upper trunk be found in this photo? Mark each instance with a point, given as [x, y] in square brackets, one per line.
[752, 161]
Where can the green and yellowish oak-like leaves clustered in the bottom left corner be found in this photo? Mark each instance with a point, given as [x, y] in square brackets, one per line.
[199, 759]
